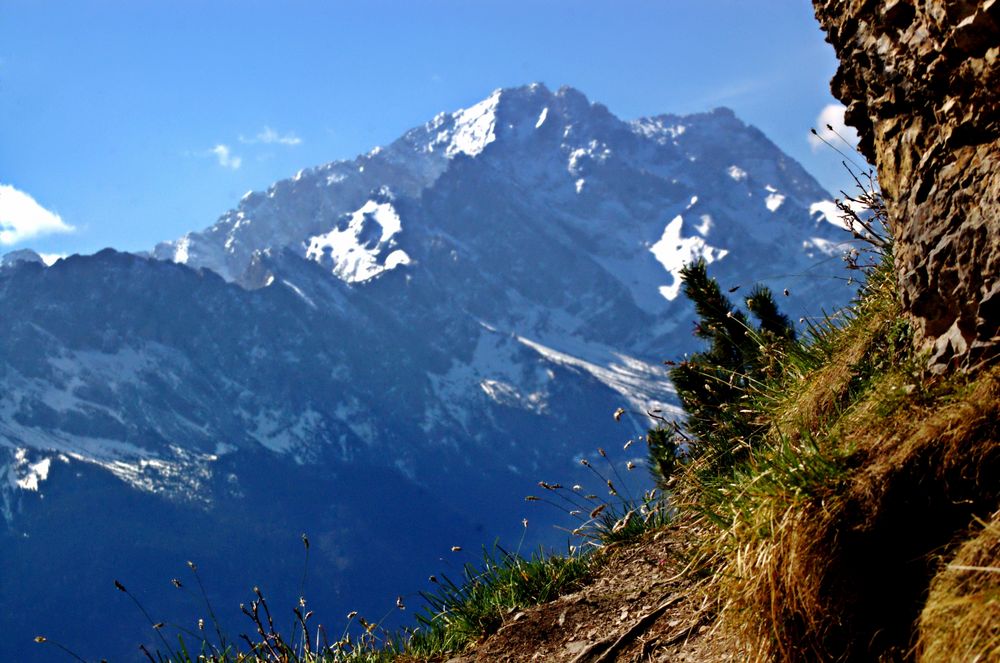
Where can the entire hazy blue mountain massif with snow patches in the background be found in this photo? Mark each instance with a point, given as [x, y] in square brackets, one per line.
[440, 322]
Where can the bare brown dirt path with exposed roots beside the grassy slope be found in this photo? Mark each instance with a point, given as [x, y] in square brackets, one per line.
[638, 608]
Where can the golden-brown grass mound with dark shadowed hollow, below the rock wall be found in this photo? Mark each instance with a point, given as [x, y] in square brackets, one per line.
[834, 526]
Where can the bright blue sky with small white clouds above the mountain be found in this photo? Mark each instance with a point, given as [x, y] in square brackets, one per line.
[135, 121]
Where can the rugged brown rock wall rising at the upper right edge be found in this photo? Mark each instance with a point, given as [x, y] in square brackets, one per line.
[921, 79]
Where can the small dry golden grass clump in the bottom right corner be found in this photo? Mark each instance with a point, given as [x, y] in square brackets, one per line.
[961, 620]
